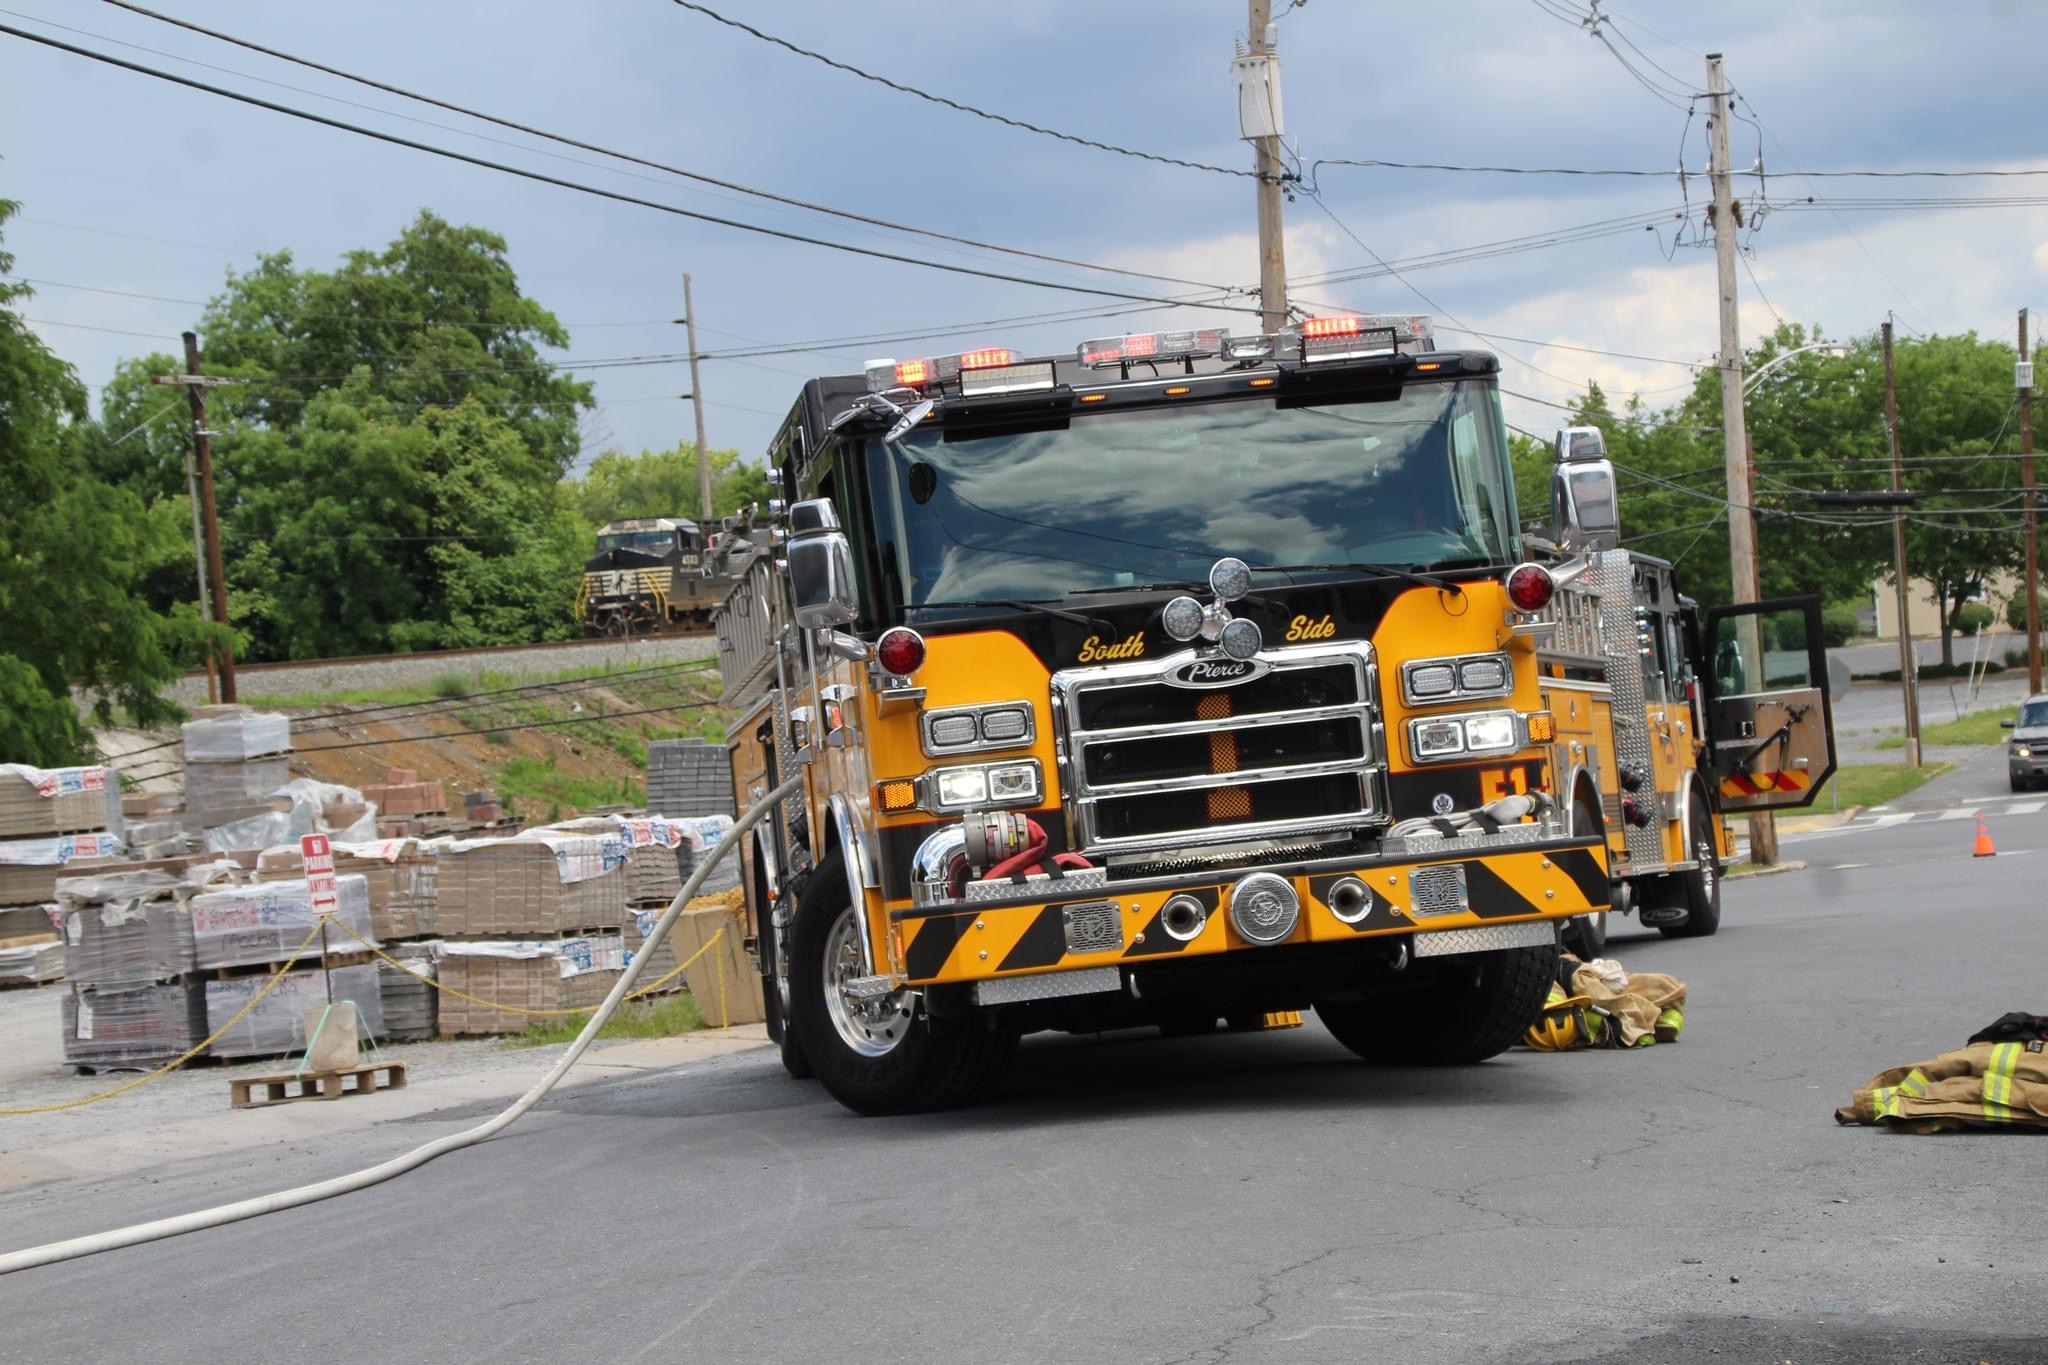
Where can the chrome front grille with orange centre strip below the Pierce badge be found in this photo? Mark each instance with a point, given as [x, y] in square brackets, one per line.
[1150, 766]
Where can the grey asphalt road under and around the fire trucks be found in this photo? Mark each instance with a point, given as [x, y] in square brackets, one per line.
[1244, 1198]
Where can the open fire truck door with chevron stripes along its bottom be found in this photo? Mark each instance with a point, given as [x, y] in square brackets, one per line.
[1770, 721]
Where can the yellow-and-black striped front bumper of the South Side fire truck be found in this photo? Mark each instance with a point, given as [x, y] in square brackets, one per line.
[1033, 930]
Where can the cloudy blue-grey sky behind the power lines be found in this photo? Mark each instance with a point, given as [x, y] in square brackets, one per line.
[146, 193]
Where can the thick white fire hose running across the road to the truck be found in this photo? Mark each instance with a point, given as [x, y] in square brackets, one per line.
[421, 1155]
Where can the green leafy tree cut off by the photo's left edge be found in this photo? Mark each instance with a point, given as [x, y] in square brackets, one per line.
[73, 552]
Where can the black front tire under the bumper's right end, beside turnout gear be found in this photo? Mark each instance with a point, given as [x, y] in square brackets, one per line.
[1480, 1008]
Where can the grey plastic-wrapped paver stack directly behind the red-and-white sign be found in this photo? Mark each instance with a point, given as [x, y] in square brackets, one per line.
[241, 938]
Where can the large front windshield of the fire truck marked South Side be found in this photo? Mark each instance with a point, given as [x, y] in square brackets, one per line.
[1160, 494]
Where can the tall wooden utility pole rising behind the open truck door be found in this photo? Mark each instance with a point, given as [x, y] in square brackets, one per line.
[1734, 427]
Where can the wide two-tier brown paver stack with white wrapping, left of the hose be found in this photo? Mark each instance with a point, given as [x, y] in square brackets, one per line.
[534, 924]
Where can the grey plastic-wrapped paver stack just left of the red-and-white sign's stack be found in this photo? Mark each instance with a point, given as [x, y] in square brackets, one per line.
[134, 996]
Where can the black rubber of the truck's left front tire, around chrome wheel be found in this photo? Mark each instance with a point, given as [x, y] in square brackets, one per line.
[929, 1063]
